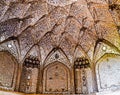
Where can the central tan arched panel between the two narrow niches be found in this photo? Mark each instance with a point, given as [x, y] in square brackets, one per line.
[56, 78]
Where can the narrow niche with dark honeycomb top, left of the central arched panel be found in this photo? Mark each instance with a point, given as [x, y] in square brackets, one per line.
[29, 76]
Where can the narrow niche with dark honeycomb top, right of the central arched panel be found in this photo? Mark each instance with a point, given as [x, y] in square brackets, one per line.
[83, 76]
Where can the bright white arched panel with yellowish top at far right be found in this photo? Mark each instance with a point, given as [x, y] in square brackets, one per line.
[108, 72]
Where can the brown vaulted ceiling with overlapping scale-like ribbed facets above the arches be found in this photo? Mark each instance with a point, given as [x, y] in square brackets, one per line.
[66, 24]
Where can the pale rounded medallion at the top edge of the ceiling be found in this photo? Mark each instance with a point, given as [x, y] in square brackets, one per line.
[60, 2]
